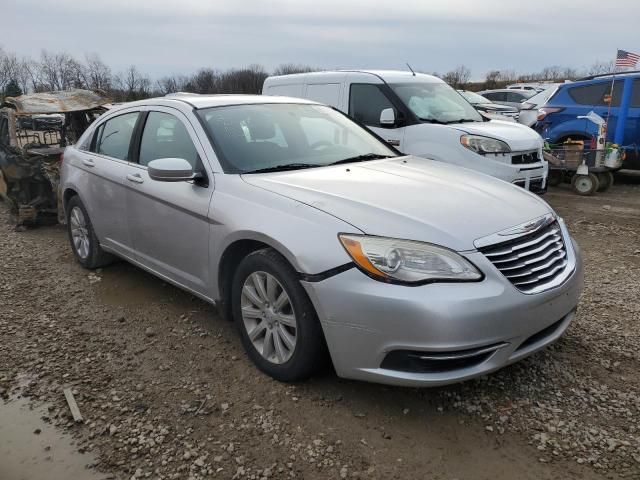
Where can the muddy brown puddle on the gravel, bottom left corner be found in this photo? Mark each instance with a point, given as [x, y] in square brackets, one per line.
[31, 449]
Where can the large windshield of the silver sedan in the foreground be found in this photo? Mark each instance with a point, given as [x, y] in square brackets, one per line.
[270, 137]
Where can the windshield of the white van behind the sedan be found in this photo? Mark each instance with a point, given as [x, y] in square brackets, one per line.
[436, 102]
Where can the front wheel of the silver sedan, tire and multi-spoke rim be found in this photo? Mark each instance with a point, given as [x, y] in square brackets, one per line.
[255, 310]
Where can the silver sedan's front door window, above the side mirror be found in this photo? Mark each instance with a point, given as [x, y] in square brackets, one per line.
[165, 136]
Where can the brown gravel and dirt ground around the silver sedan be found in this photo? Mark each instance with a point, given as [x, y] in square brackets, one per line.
[167, 392]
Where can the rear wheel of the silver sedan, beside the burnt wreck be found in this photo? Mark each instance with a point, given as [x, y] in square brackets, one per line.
[84, 242]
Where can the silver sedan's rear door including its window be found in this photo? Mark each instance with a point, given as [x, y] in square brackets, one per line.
[105, 164]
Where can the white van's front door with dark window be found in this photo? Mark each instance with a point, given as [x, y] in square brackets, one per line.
[366, 103]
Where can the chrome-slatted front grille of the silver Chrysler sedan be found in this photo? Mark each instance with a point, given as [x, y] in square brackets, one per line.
[533, 261]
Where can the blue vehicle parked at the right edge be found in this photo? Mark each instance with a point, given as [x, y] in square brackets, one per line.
[558, 119]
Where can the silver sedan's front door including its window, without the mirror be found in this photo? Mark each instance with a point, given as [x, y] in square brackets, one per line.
[168, 220]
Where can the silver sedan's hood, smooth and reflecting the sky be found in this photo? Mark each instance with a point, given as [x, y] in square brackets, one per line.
[411, 198]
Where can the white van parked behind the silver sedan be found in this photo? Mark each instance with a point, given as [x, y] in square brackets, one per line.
[422, 115]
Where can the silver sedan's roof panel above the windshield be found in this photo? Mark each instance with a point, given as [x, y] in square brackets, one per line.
[198, 101]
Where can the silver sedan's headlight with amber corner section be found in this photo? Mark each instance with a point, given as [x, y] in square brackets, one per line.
[406, 261]
